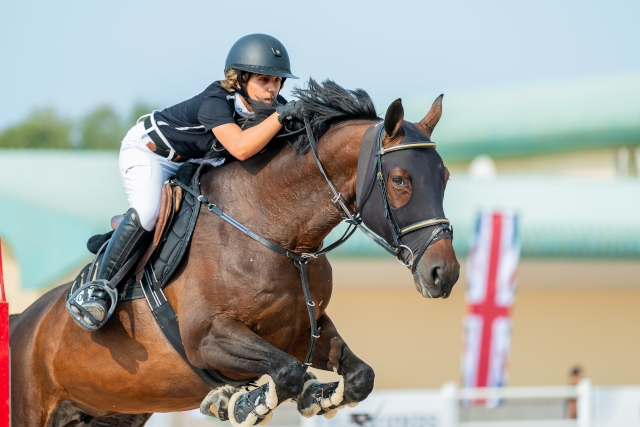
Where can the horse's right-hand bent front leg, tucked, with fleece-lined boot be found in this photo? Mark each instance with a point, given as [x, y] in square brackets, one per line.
[333, 354]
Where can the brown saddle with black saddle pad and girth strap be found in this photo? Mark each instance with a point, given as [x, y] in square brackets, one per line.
[176, 221]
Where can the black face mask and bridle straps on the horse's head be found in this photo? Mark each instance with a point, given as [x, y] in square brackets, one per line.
[404, 232]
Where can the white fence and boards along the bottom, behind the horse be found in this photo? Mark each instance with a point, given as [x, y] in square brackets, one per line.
[447, 407]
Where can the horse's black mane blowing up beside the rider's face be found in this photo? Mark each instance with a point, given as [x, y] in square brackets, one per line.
[328, 104]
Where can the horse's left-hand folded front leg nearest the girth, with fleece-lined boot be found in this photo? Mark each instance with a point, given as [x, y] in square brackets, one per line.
[229, 346]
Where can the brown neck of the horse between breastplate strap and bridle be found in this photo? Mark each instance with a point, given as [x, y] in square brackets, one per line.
[286, 199]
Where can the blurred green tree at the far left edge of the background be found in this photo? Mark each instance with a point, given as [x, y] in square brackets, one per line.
[42, 129]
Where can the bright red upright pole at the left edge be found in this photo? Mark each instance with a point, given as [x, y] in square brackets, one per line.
[5, 372]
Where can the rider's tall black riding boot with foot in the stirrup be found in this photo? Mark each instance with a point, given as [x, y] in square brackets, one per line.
[89, 308]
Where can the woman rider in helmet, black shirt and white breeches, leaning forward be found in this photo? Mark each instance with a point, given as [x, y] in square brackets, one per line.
[256, 67]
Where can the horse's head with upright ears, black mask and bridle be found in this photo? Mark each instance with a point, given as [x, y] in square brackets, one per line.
[400, 190]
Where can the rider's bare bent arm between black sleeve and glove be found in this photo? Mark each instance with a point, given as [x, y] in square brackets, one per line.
[243, 144]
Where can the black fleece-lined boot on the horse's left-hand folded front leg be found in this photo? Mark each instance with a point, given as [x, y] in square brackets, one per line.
[253, 407]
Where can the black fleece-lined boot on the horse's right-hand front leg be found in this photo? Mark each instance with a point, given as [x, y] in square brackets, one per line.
[318, 398]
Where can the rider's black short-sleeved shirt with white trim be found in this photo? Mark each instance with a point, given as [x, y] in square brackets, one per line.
[187, 125]
